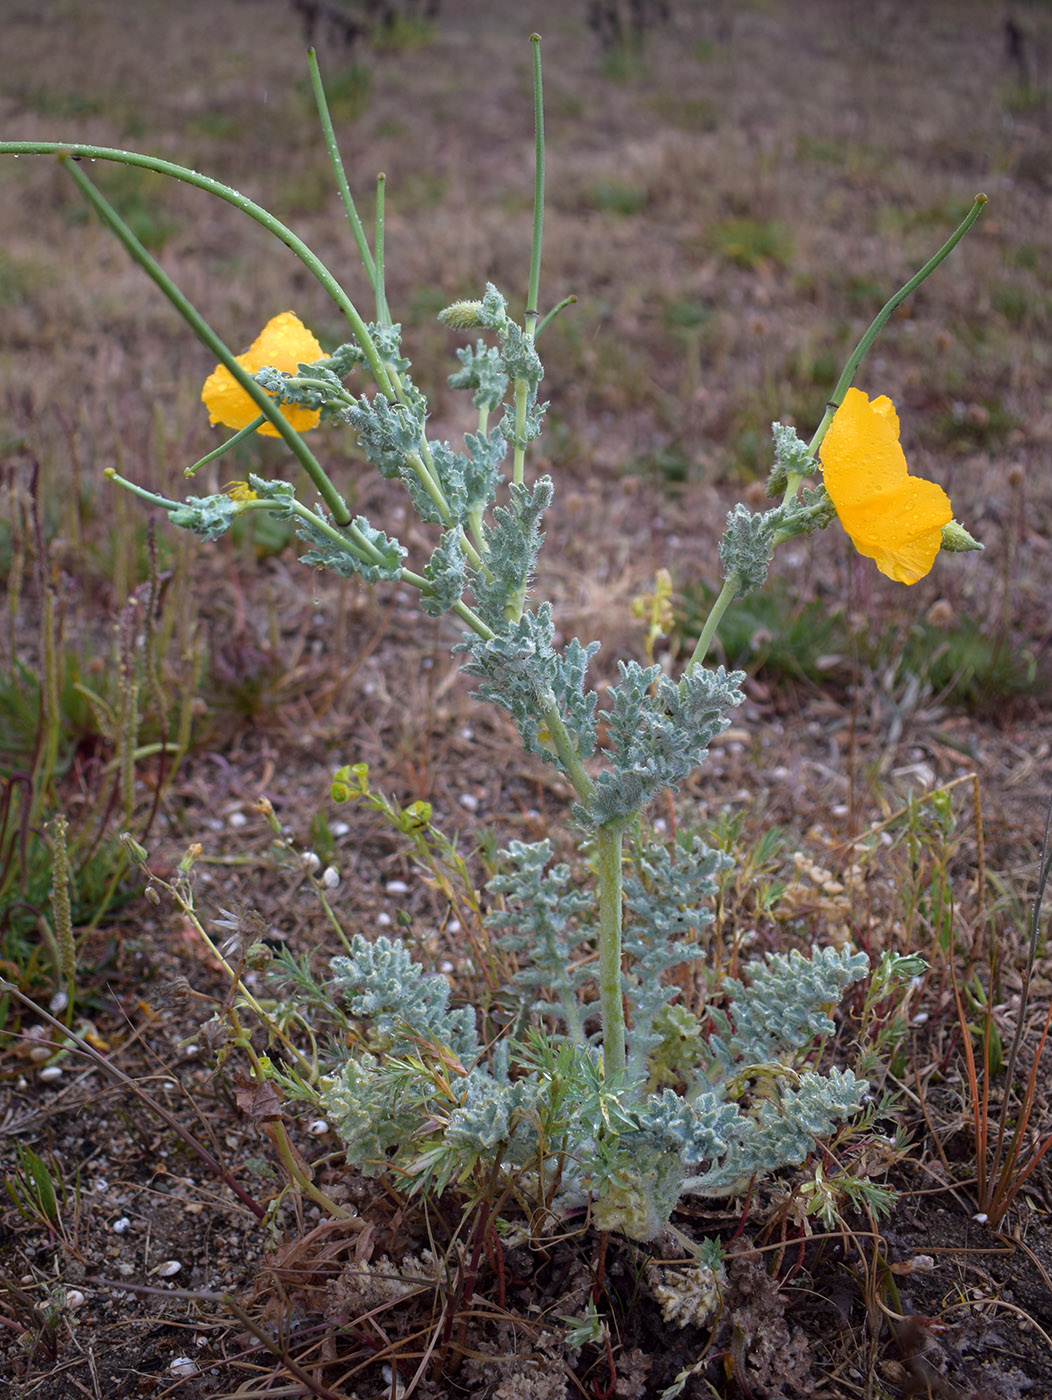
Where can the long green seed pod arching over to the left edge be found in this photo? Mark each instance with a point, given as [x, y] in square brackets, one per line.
[226, 192]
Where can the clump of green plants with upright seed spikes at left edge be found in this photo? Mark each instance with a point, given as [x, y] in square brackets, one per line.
[76, 726]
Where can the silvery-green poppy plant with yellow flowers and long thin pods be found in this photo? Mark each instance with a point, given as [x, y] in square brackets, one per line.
[586, 1087]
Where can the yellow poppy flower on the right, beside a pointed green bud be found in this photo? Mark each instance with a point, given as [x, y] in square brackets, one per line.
[893, 519]
